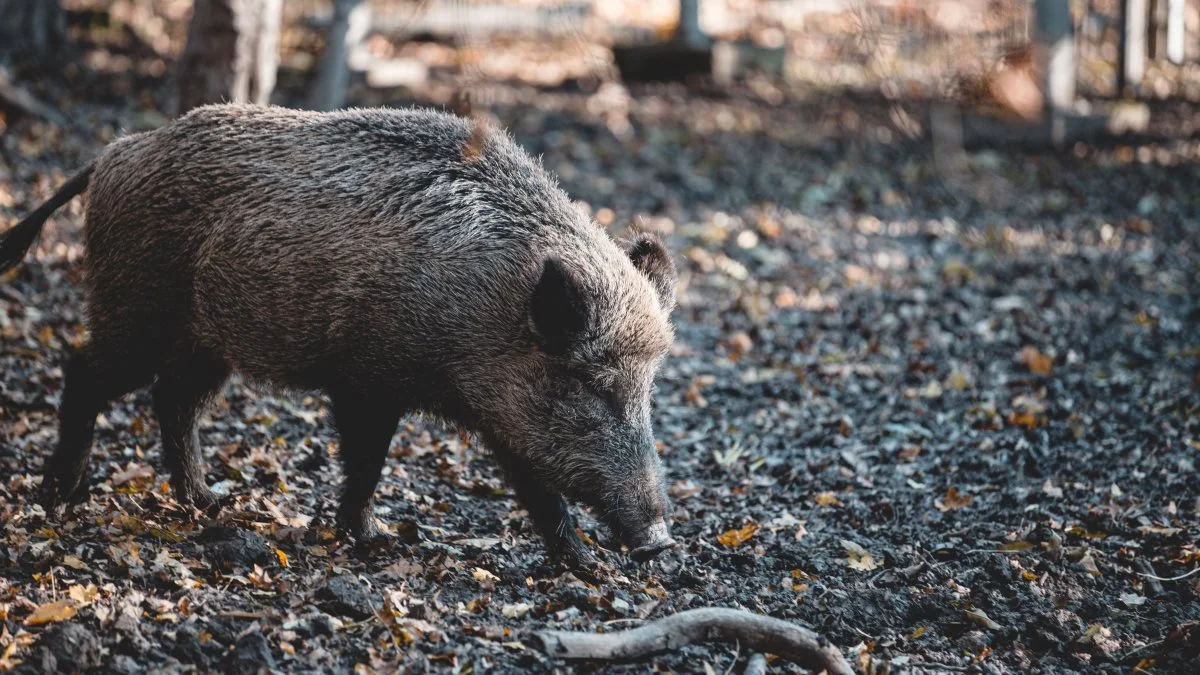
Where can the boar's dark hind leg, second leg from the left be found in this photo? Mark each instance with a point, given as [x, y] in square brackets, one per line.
[182, 393]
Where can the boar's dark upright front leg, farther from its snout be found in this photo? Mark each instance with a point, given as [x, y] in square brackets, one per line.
[365, 426]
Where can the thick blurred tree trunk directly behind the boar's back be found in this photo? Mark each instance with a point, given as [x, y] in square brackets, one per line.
[232, 53]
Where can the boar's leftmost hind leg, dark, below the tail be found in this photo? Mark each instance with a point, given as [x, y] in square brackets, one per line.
[94, 377]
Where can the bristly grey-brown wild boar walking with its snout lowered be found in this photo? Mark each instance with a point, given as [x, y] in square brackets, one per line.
[398, 261]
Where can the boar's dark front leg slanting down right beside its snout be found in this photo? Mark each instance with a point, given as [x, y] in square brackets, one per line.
[550, 513]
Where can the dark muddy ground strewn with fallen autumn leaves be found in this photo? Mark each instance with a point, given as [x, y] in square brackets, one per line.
[945, 414]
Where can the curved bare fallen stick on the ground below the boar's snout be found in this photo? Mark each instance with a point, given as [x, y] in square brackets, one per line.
[758, 634]
